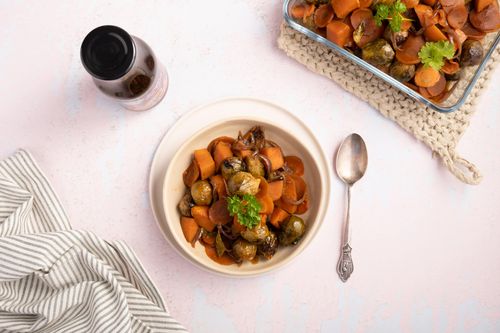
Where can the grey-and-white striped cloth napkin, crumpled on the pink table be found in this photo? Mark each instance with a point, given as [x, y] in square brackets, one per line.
[55, 279]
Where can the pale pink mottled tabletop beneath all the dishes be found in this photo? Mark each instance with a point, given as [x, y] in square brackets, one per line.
[426, 247]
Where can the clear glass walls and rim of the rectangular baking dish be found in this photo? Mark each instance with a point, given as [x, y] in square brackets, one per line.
[452, 103]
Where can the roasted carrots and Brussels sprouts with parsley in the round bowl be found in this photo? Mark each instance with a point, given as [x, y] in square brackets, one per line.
[243, 197]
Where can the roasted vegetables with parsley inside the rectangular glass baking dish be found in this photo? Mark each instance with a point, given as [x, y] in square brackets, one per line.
[422, 43]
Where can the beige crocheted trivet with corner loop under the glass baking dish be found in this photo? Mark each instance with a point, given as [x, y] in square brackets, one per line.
[439, 131]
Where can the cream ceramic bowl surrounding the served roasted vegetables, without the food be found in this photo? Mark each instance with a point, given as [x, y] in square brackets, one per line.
[316, 176]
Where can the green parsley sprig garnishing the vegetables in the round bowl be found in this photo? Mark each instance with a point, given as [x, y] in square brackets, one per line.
[246, 209]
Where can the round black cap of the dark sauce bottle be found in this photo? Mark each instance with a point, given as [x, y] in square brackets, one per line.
[107, 52]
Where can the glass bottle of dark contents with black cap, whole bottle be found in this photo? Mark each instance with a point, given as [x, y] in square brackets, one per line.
[124, 67]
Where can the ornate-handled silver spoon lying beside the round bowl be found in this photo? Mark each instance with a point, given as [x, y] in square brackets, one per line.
[351, 163]
